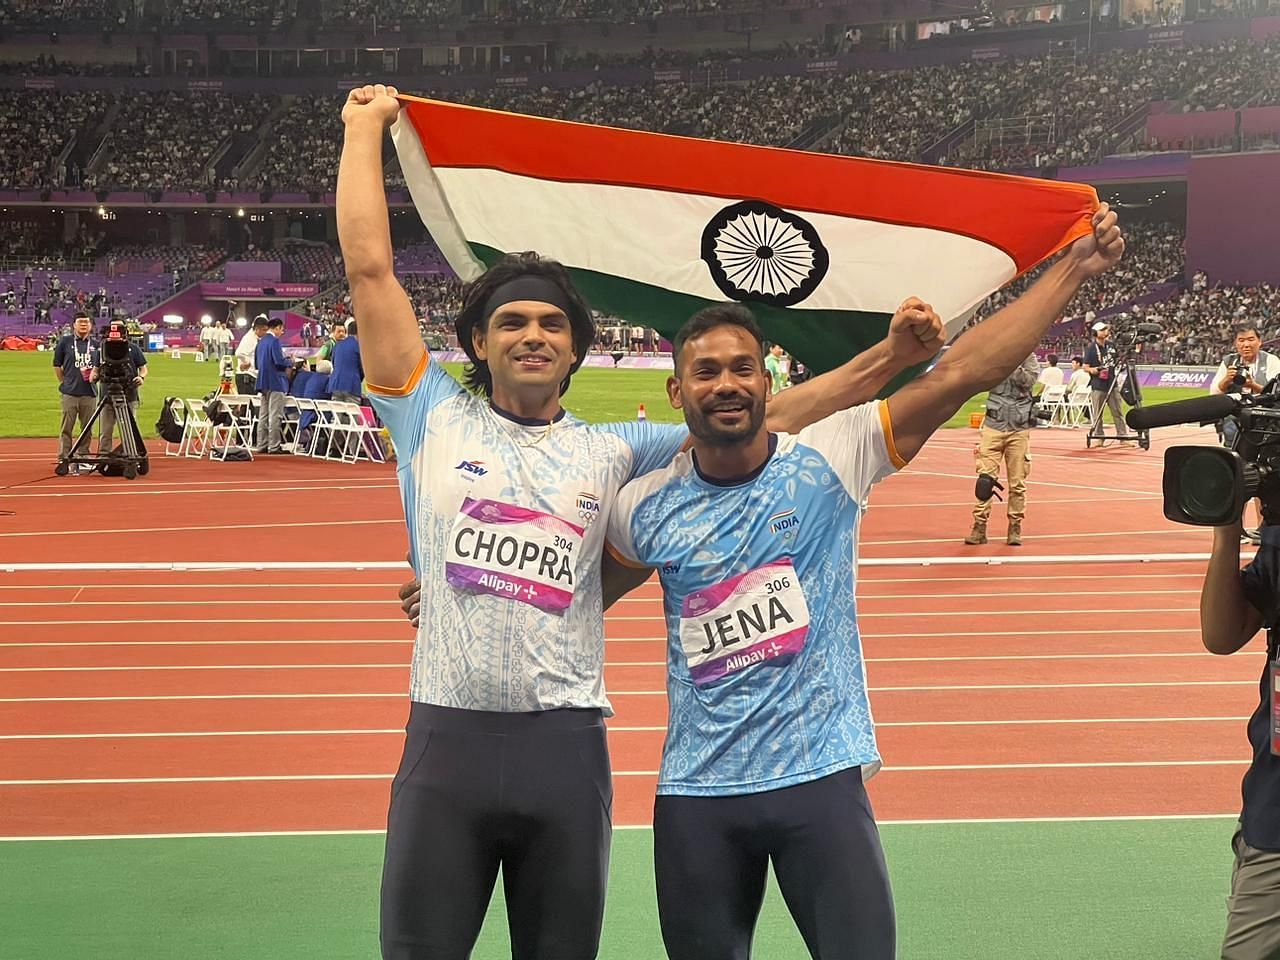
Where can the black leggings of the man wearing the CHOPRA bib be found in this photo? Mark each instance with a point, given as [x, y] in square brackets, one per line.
[529, 792]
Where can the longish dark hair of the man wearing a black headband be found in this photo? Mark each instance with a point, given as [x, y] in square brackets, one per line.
[477, 294]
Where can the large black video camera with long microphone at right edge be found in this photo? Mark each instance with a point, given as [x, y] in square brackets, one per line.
[1210, 486]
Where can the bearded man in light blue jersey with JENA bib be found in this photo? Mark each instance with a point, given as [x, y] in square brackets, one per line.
[755, 536]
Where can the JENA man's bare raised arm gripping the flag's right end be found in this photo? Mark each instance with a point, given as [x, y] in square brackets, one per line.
[988, 354]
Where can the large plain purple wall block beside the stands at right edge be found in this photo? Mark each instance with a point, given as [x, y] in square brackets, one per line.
[1233, 218]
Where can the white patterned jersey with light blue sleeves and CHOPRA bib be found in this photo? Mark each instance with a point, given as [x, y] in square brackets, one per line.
[506, 528]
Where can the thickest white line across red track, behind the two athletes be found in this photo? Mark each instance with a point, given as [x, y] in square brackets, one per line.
[231, 566]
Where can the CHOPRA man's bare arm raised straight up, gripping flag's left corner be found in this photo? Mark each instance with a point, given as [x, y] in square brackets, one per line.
[390, 345]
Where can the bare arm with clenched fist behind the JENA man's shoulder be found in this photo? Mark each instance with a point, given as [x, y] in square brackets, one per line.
[916, 335]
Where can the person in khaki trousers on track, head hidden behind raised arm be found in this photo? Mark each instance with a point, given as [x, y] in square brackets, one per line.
[1007, 436]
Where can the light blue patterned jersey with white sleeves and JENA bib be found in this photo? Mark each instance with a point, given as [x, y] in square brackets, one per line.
[766, 682]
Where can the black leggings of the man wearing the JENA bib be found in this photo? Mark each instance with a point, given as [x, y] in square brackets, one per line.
[712, 858]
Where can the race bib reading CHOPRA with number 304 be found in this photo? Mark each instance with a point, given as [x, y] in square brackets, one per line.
[514, 552]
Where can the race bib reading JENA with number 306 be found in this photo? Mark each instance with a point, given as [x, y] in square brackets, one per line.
[757, 618]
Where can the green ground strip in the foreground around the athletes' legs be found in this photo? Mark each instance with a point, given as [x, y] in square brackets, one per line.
[981, 892]
